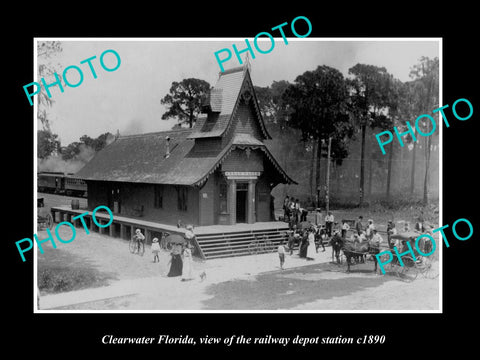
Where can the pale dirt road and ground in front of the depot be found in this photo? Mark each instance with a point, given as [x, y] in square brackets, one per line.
[241, 283]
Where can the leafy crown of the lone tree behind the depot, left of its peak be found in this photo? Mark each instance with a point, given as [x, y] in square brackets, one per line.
[185, 100]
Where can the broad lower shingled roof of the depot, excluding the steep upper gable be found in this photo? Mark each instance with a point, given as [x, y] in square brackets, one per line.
[141, 159]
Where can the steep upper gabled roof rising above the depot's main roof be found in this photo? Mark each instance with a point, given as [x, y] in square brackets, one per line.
[224, 99]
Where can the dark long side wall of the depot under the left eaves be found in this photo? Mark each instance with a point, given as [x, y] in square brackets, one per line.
[135, 197]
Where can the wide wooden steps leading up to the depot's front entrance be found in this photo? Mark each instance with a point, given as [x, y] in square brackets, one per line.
[240, 243]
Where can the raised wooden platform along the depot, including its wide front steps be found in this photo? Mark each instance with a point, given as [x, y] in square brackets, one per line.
[213, 241]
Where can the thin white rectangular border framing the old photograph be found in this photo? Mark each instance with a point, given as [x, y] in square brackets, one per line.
[213, 39]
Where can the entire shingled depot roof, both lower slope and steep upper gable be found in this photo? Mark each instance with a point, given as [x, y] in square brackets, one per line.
[142, 158]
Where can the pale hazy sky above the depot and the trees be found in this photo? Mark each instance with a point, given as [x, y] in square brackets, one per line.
[128, 99]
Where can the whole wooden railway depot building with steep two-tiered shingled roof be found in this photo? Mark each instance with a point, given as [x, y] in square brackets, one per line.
[220, 172]
